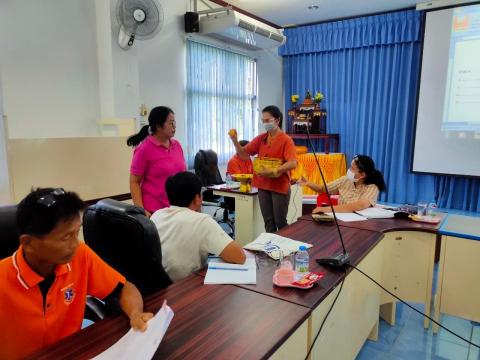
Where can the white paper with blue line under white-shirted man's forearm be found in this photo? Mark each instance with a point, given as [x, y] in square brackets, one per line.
[220, 272]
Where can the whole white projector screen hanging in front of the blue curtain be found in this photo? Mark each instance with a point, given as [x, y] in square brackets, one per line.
[447, 135]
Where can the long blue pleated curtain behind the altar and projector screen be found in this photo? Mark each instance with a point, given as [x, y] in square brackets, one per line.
[368, 69]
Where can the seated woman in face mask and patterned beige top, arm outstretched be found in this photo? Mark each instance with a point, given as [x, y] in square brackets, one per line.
[358, 190]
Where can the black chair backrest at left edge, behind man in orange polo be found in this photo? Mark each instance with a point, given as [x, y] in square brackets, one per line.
[8, 230]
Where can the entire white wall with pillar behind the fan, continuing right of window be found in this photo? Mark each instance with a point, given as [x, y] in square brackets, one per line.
[63, 70]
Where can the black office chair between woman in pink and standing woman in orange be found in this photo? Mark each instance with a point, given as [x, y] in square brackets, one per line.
[206, 168]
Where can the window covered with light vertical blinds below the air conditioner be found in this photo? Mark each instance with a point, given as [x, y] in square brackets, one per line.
[221, 95]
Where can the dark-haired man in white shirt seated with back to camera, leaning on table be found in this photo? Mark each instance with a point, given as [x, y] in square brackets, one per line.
[187, 236]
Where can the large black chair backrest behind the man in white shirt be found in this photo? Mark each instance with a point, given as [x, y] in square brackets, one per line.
[128, 241]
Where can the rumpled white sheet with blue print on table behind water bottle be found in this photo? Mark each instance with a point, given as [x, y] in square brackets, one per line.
[275, 245]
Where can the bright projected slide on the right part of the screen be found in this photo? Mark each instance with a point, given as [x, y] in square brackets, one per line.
[462, 97]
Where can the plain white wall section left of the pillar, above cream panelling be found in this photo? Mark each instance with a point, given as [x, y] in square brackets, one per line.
[49, 67]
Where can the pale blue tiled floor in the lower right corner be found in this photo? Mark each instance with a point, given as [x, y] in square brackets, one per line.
[408, 339]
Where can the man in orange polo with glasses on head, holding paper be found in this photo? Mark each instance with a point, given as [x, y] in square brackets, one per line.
[46, 281]
